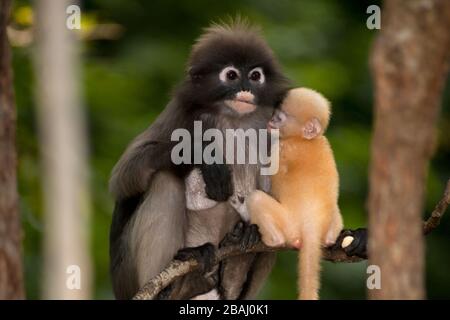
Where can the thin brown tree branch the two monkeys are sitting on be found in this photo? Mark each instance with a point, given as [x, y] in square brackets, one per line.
[177, 269]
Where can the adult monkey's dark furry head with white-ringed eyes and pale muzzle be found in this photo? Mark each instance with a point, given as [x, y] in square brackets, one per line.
[233, 72]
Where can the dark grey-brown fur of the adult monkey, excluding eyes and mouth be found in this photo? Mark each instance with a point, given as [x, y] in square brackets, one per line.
[151, 222]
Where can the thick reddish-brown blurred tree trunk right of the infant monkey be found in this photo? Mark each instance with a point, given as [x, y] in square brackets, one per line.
[409, 63]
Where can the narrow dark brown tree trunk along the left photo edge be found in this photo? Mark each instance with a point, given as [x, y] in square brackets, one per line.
[11, 282]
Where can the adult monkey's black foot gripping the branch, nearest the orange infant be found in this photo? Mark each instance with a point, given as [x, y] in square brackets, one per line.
[244, 234]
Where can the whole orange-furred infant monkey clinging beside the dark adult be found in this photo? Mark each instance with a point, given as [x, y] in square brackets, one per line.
[303, 211]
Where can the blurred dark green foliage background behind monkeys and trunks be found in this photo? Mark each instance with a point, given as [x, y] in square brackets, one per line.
[130, 69]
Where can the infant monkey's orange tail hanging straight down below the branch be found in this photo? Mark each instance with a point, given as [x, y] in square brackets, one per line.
[309, 269]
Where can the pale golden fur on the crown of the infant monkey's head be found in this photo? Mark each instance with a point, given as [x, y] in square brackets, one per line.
[305, 104]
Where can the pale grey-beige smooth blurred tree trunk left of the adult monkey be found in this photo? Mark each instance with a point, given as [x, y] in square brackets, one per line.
[67, 267]
